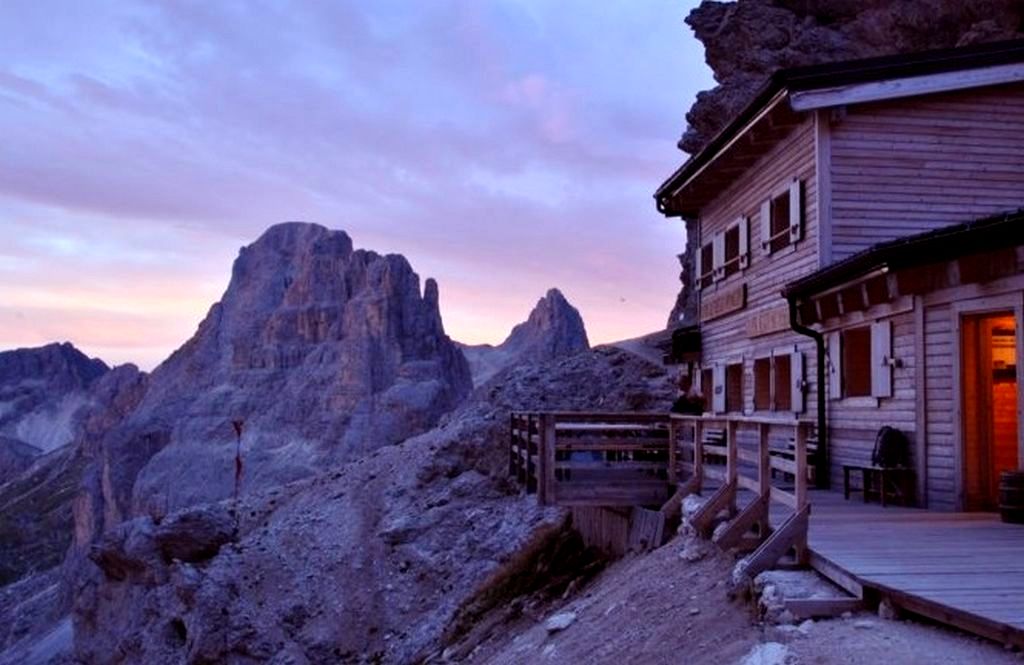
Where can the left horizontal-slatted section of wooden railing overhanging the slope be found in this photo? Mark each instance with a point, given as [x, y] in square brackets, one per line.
[593, 460]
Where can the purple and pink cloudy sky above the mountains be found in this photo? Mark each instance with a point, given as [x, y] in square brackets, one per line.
[504, 147]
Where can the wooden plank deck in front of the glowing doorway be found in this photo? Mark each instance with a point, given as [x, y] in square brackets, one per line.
[961, 569]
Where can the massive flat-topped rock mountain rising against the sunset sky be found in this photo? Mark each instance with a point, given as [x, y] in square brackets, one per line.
[324, 352]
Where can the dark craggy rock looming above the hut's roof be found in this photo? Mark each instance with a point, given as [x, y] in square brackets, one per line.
[747, 41]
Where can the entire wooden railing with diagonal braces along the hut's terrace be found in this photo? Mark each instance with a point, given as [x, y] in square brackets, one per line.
[657, 460]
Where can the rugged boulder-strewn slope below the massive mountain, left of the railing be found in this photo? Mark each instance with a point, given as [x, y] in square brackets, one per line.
[386, 560]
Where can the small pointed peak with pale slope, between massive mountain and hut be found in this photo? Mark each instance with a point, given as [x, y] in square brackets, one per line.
[554, 328]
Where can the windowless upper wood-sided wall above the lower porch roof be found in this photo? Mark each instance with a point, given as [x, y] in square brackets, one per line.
[908, 167]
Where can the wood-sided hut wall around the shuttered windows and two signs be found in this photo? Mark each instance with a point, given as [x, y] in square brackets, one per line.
[726, 340]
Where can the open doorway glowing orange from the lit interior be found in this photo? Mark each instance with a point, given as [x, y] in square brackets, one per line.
[990, 394]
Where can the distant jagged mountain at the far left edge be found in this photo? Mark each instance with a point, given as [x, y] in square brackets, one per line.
[42, 393]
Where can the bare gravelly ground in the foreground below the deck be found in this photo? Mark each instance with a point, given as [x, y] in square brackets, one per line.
[662, 609]
